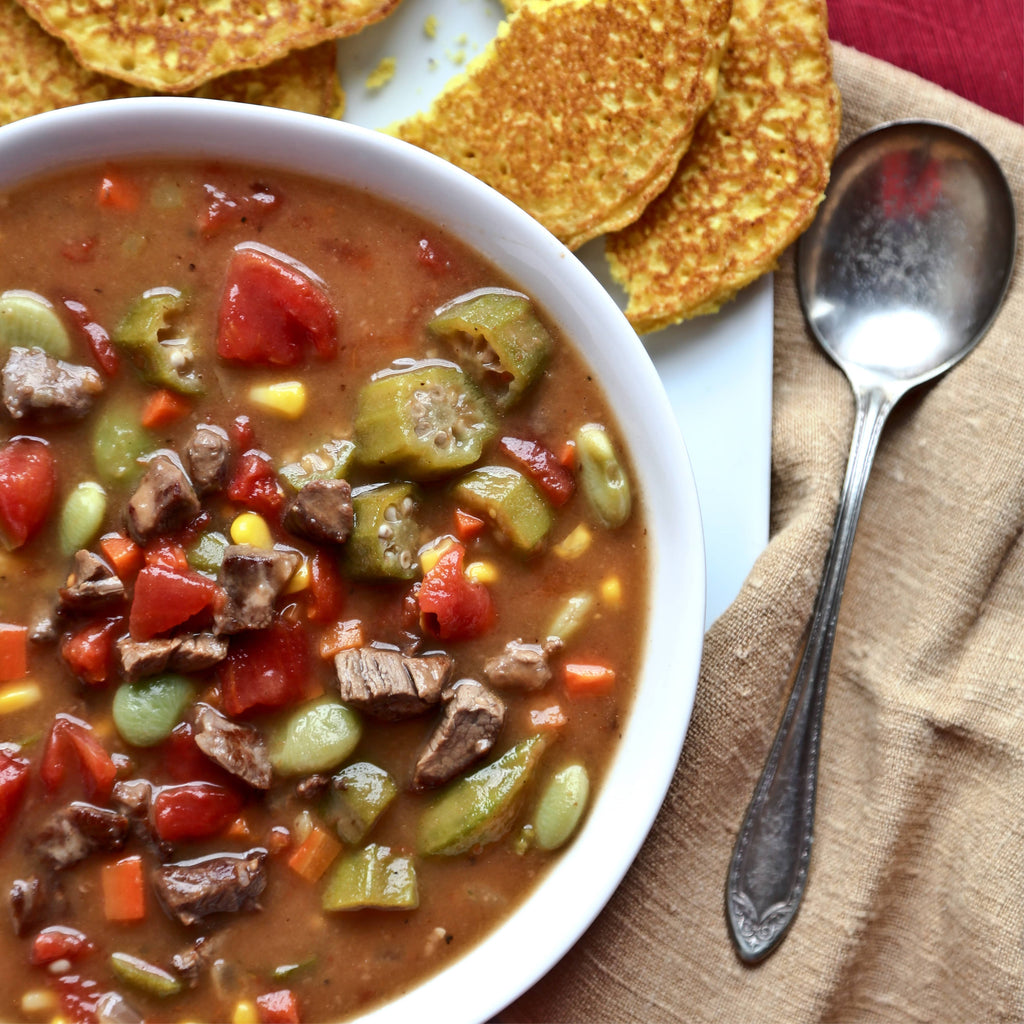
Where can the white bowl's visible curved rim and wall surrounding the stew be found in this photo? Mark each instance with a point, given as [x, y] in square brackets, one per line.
[546, 926]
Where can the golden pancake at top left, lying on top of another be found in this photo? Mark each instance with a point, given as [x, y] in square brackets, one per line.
[178, 46]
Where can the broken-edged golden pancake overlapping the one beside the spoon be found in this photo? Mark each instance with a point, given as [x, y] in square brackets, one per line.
[580, 110]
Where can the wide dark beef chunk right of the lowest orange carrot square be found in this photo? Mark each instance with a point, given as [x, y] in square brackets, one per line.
[224, 884]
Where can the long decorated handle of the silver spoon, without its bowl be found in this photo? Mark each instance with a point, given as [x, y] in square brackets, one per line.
[769, 872]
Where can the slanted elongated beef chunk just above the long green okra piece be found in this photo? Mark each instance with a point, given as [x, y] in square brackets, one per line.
[474, 717]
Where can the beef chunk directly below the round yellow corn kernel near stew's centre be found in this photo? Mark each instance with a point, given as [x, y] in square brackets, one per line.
[252, 579]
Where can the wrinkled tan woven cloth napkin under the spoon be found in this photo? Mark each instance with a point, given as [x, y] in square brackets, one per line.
[915, 909]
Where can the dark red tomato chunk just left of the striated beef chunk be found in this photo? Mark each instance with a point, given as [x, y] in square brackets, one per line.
[266, 669]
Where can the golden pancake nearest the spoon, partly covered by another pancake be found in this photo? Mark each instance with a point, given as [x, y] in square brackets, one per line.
[752, 180]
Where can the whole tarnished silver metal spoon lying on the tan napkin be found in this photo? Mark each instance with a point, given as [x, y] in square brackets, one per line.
[901, 275]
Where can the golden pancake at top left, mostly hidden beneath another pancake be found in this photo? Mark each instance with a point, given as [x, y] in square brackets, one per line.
[38, 73]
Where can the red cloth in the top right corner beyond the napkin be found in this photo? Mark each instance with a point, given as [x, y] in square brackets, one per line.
[972, 48]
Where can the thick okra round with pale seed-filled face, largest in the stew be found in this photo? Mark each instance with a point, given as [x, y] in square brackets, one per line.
[426, 420]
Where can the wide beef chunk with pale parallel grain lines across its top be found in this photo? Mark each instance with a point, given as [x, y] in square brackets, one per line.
[390, 686]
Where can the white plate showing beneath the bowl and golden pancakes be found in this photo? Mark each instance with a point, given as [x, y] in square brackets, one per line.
[717, 370]
